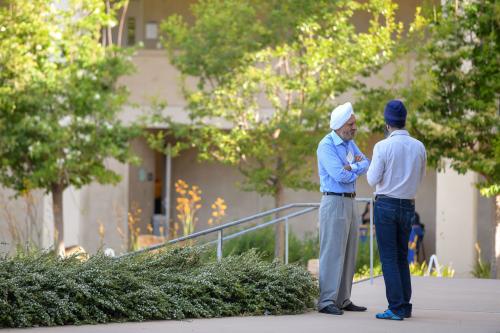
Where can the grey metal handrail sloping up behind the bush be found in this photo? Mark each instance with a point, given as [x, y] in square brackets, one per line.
[308, 207]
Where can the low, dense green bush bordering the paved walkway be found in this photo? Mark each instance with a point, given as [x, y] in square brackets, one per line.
[43, 290]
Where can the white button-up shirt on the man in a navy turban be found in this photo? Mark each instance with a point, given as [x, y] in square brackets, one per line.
[398, 166]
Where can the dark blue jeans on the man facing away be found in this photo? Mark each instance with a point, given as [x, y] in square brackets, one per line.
[393, 225]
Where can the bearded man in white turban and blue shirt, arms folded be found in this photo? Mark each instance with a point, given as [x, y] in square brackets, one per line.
[340, 163]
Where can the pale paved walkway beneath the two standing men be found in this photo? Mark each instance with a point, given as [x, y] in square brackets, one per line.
[439, 305]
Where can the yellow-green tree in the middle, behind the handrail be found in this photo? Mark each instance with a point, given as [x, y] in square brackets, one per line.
[272, 83]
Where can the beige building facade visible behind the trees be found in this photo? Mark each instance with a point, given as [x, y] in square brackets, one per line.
[454, 214]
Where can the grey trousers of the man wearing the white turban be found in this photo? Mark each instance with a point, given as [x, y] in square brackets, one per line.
[338, 232]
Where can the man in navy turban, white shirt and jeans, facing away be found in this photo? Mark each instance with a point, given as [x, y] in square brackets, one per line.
[396, 171]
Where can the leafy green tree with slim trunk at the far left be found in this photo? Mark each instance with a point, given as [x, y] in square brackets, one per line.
[59, 99]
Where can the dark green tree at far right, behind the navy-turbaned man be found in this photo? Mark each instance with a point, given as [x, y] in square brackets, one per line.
[456, 90]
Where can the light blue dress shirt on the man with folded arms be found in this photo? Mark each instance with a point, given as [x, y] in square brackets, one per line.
[333, 154]
